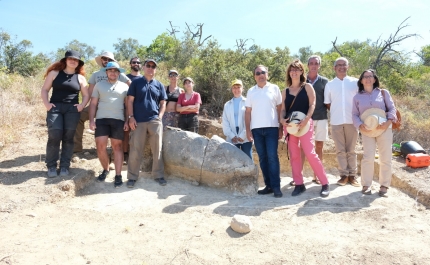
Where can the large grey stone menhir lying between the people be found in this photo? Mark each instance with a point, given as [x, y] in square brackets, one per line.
[210, 162]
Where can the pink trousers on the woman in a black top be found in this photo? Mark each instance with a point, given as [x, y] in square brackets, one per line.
[305, 141]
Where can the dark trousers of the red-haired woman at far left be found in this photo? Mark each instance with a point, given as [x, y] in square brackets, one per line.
[61, 121]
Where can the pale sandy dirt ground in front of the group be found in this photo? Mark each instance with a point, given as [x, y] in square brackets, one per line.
[43, 221]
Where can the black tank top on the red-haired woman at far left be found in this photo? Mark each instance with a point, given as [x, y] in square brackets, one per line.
[65, 89]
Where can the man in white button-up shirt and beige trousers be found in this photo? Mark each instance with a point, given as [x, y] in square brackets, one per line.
[338, 96]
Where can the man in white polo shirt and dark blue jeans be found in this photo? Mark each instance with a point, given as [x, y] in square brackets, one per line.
[263, 106]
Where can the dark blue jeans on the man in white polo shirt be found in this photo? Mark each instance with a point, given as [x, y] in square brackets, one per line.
[266, 144]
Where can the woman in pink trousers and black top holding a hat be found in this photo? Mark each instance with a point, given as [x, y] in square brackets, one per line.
[299, 101]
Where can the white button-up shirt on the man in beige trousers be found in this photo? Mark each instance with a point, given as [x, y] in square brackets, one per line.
[339, 93]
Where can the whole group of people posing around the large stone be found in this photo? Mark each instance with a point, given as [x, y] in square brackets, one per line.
[131, 109]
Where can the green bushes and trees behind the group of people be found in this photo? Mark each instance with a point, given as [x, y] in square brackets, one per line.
[213, 67]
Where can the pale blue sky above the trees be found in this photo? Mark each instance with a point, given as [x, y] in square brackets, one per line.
[50, 24]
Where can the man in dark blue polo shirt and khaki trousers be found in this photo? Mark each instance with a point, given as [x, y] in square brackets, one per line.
[146, 103]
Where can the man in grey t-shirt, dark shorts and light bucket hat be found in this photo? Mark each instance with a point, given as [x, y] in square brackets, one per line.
[107, 106]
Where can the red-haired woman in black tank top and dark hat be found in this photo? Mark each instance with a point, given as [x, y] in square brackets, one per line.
[66, 78]
